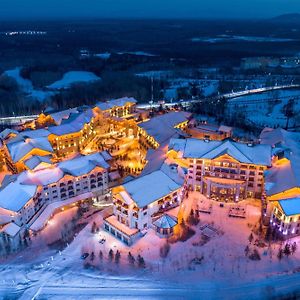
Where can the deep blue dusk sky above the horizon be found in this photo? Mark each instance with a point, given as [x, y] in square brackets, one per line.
[33, 9]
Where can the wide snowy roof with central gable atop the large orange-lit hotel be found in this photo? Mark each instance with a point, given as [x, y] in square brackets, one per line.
[250, 154]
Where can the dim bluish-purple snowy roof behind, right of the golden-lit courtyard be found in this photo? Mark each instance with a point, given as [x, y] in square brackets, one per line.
[162, 127]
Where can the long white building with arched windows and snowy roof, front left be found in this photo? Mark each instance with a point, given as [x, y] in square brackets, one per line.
[24, 196]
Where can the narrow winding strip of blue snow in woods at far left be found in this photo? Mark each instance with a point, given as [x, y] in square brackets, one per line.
[26, 86]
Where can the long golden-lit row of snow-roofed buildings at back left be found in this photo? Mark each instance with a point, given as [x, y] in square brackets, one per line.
[64, 133]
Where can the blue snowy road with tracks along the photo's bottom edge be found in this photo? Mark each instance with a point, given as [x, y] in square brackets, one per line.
[147, 289]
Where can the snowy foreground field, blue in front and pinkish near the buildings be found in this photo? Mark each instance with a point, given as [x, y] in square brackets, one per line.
[224, 273]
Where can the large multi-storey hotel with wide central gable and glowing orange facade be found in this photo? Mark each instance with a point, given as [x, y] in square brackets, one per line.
[223, 170]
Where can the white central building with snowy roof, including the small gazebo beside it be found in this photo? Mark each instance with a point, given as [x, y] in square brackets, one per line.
[140, 203]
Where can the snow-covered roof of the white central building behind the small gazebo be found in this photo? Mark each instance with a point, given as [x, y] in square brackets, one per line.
[149, 188]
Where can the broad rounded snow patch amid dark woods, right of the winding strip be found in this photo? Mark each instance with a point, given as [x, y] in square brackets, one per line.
[72, 77]
